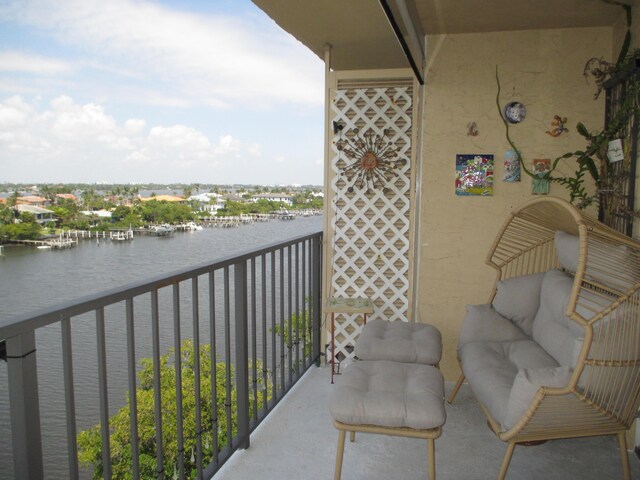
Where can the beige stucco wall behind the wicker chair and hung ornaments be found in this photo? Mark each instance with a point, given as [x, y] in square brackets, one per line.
[542, 69]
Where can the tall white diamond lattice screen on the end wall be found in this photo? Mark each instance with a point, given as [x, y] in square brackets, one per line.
[371, 231]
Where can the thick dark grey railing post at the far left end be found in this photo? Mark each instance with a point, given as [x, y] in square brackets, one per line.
[24, 404]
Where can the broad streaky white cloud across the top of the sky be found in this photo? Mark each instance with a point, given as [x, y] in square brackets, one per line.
[212, 60]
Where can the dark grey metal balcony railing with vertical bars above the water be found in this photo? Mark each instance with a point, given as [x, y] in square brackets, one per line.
[253, 322]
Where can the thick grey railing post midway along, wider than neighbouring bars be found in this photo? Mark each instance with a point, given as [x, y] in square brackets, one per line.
[242, 362]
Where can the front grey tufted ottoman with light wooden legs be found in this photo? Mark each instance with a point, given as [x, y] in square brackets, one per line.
[389, 398]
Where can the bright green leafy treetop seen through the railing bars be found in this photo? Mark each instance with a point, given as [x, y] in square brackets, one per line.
[90, 441]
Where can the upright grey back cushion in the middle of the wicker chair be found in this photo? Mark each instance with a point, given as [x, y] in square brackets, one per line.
[551, 325]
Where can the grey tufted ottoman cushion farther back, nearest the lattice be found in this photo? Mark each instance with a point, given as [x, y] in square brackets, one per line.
[400, 341]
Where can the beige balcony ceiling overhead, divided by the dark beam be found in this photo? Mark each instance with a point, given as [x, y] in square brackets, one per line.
[361, 36]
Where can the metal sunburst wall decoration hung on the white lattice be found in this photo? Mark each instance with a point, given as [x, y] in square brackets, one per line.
[374, 160]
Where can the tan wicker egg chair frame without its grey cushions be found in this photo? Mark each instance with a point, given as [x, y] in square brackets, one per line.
[603, 395]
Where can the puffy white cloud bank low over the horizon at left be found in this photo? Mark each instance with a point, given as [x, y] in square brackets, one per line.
[83, 143]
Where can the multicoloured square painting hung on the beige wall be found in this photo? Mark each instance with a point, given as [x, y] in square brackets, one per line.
[474, 175]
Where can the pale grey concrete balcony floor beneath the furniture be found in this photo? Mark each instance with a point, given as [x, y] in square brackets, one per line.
[298, 441]
